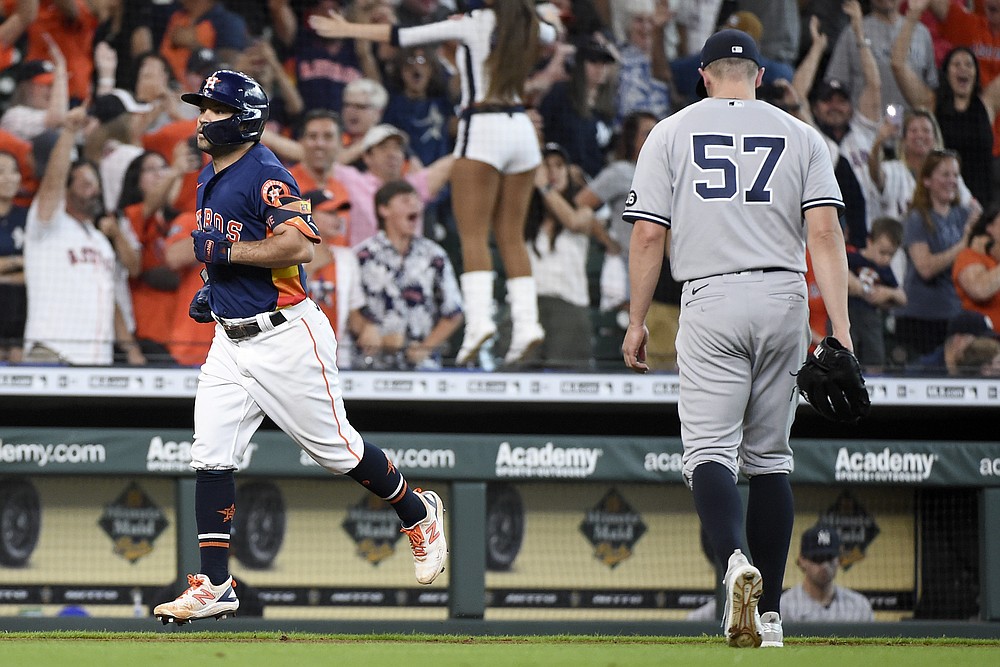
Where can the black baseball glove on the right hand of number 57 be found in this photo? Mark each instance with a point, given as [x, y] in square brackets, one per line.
[831, 381]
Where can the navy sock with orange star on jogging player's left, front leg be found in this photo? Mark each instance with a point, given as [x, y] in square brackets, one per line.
[215, 506]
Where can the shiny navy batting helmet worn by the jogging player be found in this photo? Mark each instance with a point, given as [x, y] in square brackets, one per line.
[244, 96]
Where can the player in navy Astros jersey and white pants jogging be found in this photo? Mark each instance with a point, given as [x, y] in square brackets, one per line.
[274, 351]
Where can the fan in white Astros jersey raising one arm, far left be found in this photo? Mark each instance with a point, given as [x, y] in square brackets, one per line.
[70, 261]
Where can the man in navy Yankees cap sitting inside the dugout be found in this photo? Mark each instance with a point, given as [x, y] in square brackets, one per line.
[817, 597]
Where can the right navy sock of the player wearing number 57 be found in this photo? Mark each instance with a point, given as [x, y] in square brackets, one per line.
[770, 515]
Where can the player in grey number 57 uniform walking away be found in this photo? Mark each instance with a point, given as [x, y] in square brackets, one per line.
[728, 181]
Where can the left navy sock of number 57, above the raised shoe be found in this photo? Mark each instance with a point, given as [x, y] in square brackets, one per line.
[720, 509]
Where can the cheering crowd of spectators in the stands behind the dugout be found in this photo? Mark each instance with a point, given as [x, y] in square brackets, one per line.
[98, 169]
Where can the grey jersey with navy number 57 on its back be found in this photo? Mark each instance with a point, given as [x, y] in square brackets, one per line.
[732, 179]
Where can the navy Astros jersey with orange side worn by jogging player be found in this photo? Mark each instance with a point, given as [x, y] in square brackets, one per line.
[246, 201]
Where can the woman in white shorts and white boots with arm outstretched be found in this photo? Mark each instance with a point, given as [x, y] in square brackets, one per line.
[497, 152]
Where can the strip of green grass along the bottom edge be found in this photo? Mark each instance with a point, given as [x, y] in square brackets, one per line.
[76, 649]
